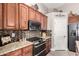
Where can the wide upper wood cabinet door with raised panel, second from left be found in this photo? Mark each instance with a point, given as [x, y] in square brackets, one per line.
[10, 16]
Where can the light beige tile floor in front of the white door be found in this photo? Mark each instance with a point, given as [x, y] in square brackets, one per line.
[61, 53]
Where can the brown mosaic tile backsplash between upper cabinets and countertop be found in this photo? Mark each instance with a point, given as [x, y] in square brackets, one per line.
[21, 34]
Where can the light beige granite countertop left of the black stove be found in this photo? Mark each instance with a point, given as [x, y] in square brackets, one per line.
[14, 46]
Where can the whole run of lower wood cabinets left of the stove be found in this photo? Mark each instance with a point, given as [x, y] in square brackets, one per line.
[26, 51]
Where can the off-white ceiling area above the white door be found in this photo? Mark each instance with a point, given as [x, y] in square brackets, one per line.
[49, 7]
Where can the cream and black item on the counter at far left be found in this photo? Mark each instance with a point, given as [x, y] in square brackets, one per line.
[5, 39]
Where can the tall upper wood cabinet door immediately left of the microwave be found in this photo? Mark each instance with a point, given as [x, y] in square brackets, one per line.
[23, 16]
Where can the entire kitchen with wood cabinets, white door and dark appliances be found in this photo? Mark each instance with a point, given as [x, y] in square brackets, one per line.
[34, 30]
